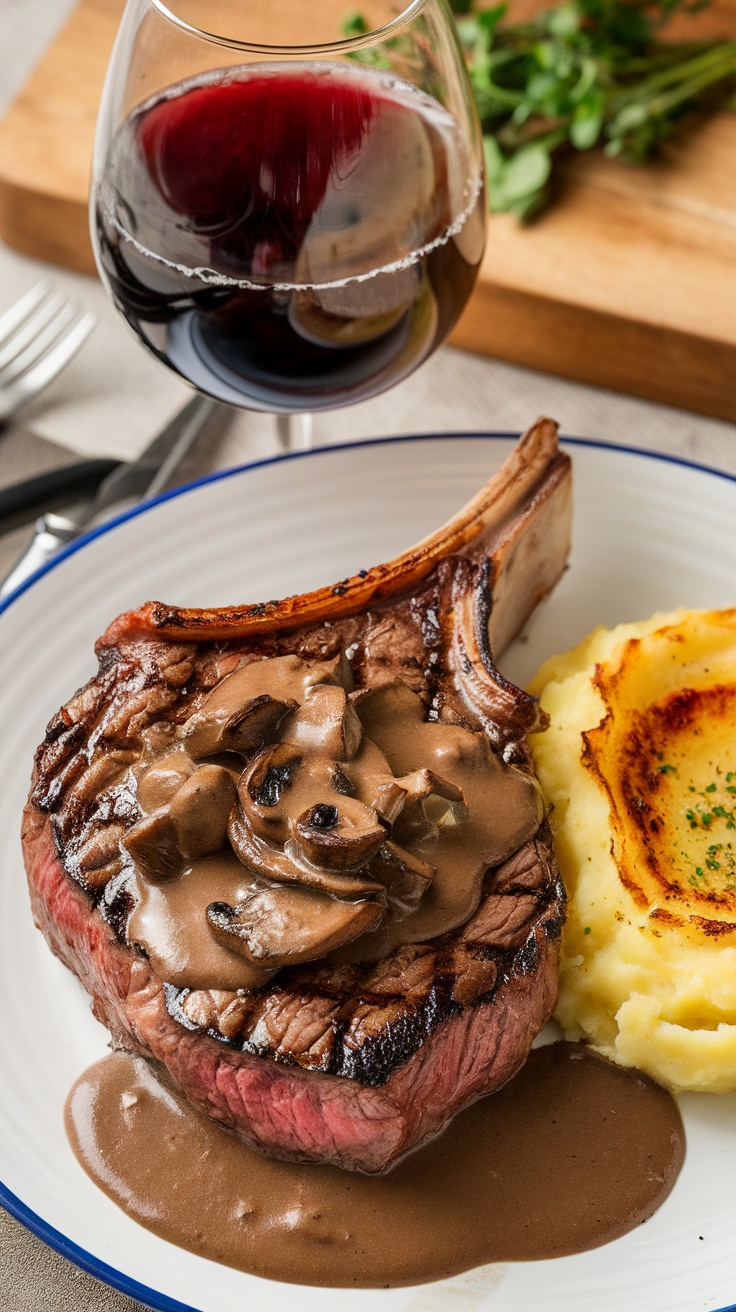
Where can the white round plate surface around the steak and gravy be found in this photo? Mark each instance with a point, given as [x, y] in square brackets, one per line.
[650, 535]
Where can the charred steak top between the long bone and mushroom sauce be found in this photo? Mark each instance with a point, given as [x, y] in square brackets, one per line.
[98, 734]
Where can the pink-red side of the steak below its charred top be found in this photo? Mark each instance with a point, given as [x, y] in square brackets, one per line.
[306, 1115]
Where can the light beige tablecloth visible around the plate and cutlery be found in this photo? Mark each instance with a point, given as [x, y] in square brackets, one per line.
[113, 397]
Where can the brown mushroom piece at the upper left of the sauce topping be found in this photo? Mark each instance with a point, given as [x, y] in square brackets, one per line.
[226, 728]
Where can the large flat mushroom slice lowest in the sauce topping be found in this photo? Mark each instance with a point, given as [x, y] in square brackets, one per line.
[287, 926]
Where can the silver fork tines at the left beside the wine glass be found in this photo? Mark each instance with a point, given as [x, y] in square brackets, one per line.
[39, 337]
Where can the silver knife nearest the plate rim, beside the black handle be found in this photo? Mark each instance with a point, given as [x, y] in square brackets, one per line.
[129, 482]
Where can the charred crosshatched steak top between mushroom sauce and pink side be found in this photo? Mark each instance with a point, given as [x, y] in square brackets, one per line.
[364, 1021]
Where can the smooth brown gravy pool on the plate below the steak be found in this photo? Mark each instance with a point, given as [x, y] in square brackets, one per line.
[573, 1154]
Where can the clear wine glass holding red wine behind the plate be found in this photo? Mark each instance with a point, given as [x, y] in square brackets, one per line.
[288, 199]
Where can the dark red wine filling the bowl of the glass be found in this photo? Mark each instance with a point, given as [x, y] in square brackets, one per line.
[291, 237]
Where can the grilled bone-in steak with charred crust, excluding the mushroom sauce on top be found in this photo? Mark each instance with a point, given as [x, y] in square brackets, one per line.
[352, 1065]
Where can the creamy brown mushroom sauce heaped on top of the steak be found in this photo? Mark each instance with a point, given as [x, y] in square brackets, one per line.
[292, 821]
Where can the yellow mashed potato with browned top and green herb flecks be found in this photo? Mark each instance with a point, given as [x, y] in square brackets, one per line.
[640, 767]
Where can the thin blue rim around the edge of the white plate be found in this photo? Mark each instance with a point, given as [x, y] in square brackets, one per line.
[10, 1201]
